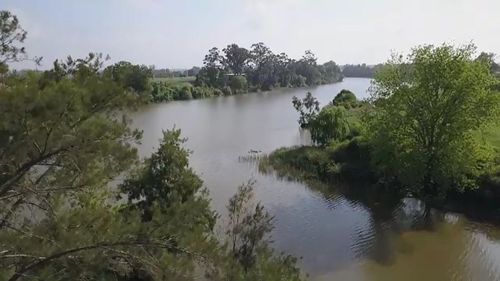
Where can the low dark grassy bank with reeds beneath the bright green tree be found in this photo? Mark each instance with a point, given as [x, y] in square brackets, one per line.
[348, 164]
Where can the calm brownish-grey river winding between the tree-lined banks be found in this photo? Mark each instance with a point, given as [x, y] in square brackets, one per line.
[337, 236]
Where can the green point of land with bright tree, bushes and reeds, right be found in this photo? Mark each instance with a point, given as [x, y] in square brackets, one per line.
[427, 130]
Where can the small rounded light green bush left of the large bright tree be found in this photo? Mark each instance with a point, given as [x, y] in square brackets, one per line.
[330, 124]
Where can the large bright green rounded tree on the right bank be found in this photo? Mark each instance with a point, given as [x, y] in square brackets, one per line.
[430, 107]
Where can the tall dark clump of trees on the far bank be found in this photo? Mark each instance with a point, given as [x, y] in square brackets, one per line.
[263, 69]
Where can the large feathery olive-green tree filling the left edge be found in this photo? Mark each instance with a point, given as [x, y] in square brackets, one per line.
[62, 141]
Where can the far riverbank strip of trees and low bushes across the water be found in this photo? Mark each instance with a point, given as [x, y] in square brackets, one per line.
[234, 70]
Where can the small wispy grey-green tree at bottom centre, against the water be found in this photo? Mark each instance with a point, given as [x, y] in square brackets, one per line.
[248, 255]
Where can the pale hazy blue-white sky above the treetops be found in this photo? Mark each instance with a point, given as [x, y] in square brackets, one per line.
[178, 33]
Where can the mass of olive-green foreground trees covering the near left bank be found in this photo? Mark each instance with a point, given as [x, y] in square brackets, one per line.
[65, 140]
